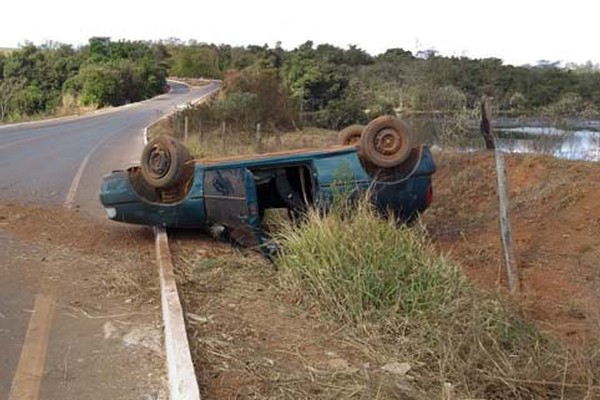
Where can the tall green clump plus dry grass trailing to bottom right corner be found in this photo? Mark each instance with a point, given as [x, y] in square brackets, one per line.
[408, 303]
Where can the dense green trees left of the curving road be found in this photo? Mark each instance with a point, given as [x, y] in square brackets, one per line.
[56, 77]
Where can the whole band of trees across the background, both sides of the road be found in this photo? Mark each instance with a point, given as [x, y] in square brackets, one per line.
[323, 85]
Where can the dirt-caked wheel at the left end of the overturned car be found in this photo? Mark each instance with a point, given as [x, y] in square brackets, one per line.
[163, 162]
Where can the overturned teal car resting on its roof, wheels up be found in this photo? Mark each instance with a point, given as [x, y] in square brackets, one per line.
[229, 196]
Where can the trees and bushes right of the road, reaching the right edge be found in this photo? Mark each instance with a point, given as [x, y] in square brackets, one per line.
[330, 86]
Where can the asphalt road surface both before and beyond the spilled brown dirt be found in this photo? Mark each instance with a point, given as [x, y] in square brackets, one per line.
[61, 163]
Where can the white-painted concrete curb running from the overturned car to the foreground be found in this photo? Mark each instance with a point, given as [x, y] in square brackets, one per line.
[183, 384]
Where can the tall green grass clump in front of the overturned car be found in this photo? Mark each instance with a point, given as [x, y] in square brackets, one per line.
[360, 267]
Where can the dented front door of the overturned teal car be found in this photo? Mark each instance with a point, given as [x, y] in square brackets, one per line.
[231, 201]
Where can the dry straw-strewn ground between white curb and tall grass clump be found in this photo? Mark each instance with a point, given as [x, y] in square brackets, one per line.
[250, 341]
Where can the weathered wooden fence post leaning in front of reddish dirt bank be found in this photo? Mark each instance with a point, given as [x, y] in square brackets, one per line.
[505, 229]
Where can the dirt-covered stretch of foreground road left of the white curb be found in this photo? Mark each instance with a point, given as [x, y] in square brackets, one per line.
[106, 325]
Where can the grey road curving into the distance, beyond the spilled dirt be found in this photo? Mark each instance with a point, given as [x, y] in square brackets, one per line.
[39, 161]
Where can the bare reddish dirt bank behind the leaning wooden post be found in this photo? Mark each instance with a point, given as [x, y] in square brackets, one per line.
[555, 216]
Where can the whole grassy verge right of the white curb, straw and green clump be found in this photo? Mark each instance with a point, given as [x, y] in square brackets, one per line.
[358, 307]
